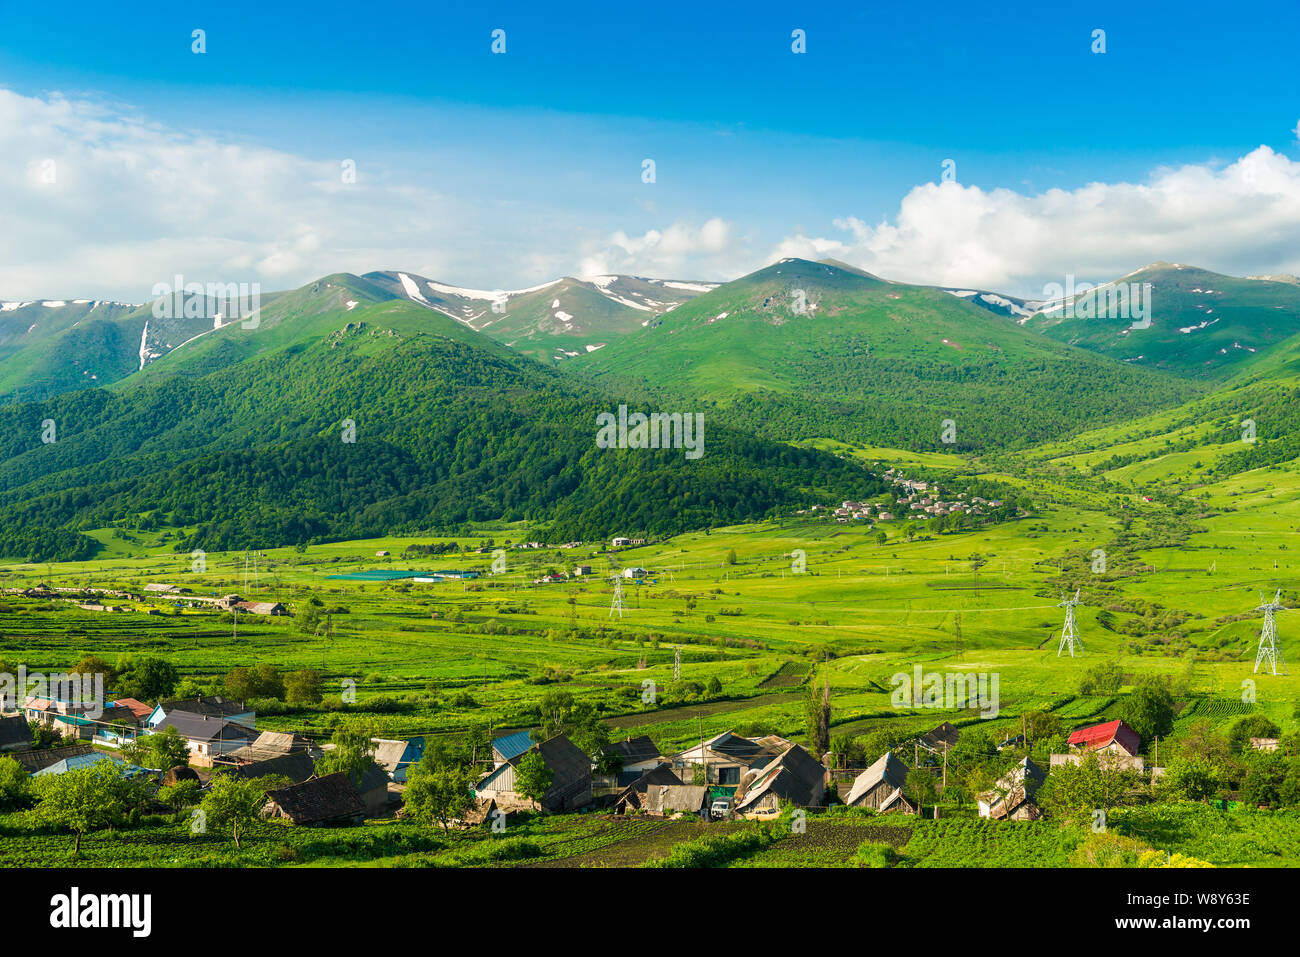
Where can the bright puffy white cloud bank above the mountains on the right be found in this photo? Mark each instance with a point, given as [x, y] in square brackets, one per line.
[1241, 219]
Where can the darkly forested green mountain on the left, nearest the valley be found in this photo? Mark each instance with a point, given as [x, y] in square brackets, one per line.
[241, 439]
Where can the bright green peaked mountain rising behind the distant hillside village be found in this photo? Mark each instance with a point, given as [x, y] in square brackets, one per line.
[801, 349]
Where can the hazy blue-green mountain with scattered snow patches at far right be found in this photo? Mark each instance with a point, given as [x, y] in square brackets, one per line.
[1203, 324]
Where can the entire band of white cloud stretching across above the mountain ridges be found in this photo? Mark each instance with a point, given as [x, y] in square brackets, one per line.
[133, 203]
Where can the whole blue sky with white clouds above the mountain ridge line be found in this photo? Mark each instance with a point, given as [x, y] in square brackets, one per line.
[530, 163]
